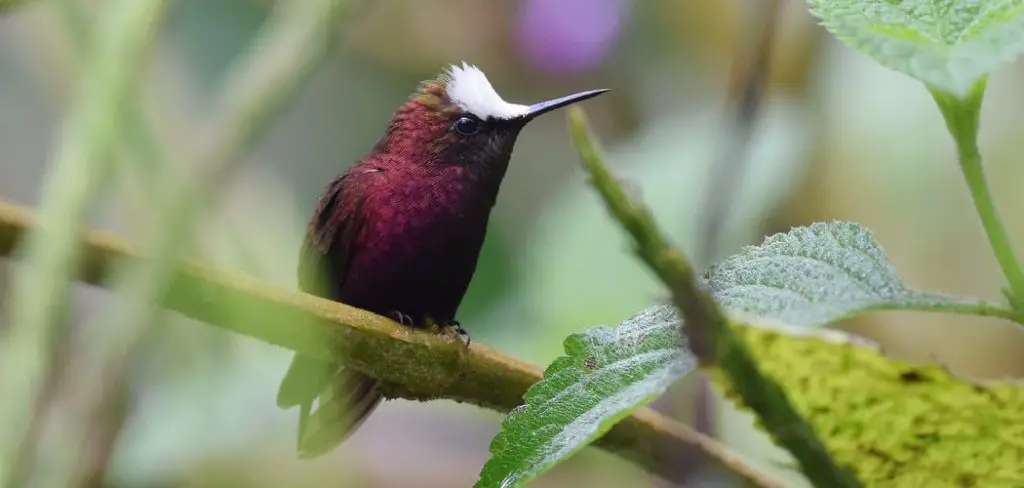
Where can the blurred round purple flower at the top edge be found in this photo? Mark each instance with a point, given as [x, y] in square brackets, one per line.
[570, 36]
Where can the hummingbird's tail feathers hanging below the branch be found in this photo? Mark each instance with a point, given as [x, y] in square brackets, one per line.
[346, 400]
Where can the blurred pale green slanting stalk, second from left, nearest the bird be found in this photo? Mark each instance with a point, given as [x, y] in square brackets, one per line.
[294, 42]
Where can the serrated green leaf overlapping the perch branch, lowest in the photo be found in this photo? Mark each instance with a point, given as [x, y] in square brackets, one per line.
[607, 374]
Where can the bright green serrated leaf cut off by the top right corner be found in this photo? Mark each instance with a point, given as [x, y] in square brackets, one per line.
[949, 45]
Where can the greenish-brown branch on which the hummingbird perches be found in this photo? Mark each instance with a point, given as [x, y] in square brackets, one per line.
[414, 365]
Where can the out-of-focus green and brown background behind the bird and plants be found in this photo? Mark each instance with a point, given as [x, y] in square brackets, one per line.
[839, 138]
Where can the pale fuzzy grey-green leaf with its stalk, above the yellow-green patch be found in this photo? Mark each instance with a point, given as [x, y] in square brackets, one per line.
[816, 276]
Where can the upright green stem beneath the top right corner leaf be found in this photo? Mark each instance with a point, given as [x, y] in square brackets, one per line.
[962, 116]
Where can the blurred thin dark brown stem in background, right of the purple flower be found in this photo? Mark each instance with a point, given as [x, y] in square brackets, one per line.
[750, 75]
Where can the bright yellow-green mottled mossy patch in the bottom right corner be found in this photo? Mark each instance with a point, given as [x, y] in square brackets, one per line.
[897, 424]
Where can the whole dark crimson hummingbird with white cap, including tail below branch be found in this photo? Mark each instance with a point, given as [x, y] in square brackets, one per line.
[399, 234]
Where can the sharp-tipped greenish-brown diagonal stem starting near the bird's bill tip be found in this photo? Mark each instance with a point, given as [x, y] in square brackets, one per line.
[706, 327]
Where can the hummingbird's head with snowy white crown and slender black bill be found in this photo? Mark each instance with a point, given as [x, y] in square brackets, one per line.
[459, 119]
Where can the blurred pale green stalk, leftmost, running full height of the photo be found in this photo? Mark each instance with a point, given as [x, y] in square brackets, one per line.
[81, 163]
